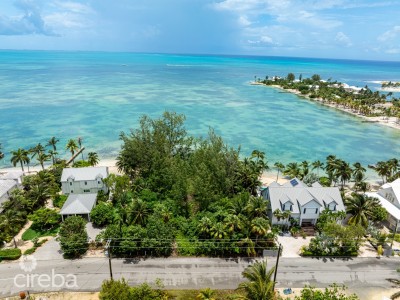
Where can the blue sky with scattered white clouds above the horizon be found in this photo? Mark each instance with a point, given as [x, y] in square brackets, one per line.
[350, 29]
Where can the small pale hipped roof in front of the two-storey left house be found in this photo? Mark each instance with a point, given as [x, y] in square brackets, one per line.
[78, 204]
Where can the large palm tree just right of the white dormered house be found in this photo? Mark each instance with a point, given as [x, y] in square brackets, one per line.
[361, 208]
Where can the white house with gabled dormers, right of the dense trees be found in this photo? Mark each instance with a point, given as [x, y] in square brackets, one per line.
[303, 202]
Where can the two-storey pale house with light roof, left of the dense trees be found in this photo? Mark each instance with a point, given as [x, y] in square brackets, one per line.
[83, 180]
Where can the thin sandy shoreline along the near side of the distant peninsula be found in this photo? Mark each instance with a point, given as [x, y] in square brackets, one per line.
[381, 120]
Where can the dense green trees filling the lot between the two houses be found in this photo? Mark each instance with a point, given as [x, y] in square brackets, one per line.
[184, 195]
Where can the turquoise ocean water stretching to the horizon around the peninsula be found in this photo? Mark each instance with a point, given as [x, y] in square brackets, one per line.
[96, 95]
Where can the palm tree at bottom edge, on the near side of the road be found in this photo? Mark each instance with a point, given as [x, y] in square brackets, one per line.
[259, 285]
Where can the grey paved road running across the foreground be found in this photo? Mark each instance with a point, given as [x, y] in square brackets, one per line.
[359, 274]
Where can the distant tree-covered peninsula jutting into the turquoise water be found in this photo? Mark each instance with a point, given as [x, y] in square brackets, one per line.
[360, 100]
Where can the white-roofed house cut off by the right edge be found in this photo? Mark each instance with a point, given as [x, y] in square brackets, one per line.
[389, 197]
